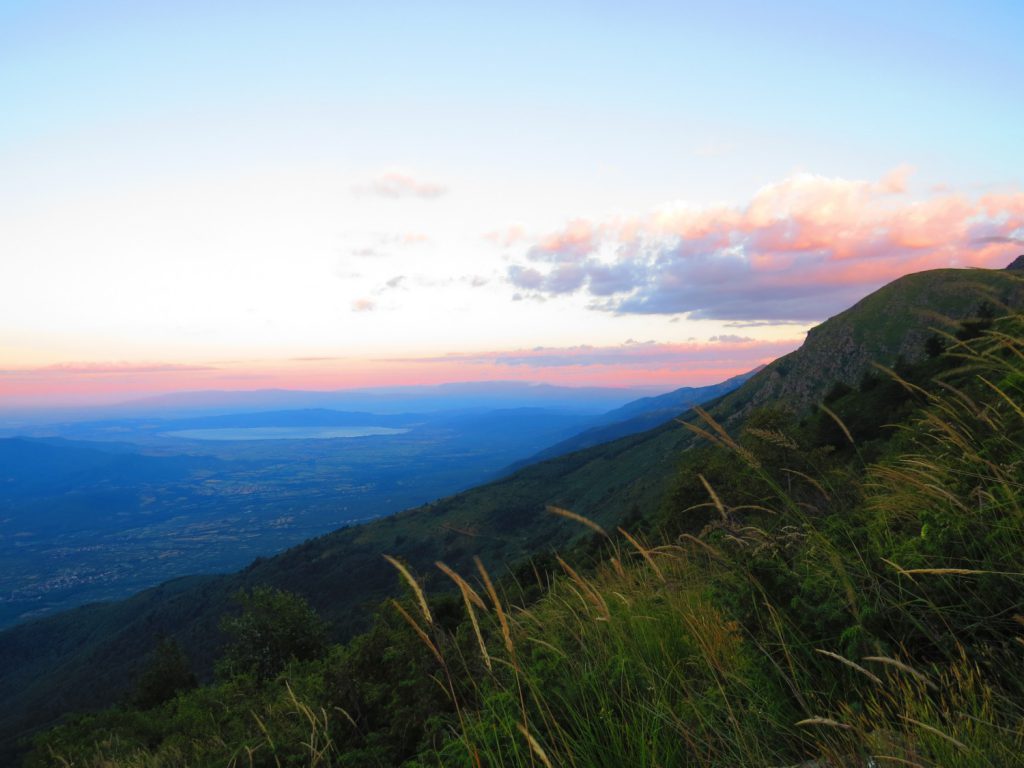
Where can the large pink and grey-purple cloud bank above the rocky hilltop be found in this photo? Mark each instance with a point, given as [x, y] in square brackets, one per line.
[802, 250]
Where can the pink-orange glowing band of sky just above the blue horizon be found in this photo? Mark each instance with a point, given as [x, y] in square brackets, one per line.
[698, 365]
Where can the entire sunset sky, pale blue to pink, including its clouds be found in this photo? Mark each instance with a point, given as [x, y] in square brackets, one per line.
[333, 195]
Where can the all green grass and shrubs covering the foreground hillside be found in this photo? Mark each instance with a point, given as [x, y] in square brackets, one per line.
[841, 585]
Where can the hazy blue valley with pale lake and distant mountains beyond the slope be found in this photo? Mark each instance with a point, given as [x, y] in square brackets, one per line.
[127, 503]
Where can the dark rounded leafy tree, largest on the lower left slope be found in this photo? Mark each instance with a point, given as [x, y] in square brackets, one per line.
[274, 628]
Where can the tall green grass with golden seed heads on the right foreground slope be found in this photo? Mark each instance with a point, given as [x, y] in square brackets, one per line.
[636, 661]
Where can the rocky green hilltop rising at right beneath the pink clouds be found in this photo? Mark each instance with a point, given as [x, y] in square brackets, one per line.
[891, 325]
